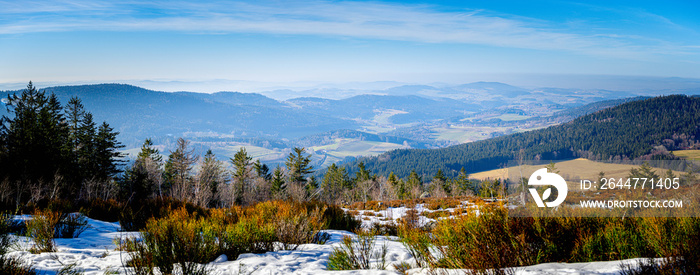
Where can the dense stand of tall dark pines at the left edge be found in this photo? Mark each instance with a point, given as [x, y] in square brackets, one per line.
[50, 151]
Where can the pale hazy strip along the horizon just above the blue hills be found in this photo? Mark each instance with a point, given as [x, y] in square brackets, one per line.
[643, 85]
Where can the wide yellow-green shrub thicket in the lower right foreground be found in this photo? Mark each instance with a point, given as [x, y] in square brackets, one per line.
[461, 242]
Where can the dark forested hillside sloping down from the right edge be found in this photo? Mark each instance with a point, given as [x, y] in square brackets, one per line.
[635, 129]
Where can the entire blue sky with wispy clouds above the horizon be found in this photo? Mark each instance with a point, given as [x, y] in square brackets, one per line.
[93, 41]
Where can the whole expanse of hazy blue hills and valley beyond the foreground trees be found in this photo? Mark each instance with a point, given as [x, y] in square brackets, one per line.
[403, 116]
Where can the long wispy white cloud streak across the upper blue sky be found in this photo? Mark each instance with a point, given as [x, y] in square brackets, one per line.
[364, 20]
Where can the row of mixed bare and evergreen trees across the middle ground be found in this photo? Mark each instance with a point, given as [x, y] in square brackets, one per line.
[208, 182]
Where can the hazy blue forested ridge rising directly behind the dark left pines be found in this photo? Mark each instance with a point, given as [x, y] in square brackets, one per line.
[138, 113]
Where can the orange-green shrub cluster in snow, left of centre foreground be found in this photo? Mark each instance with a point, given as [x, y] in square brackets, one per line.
[185, 240]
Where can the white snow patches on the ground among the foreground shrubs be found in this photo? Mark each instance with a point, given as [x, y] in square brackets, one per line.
[94, 253]
